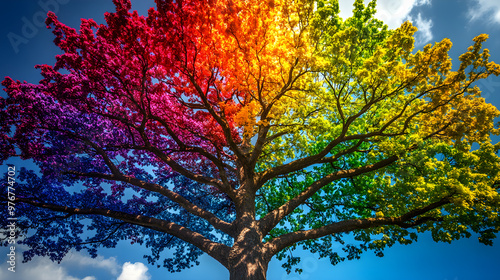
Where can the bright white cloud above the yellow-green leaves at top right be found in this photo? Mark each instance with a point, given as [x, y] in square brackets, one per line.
[394, 13]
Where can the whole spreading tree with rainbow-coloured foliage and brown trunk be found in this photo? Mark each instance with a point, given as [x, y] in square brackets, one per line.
[243, 131]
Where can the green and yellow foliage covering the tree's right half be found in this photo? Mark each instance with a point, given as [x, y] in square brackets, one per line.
[370, 97]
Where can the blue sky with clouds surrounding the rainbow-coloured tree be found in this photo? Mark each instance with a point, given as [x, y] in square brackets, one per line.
[436, 19]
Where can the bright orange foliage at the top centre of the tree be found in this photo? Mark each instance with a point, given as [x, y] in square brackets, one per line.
[259, 50]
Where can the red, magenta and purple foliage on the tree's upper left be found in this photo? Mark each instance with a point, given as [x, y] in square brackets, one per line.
[154, 83]
